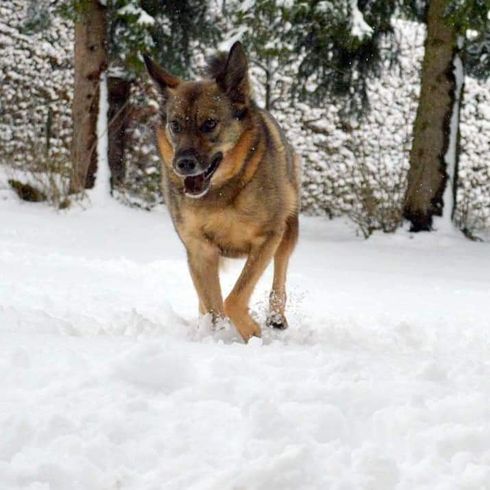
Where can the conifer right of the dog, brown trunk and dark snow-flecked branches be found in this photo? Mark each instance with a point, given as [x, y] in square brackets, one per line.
[343, 50]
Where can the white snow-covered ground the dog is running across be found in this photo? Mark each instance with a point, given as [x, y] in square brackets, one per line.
[381, 382]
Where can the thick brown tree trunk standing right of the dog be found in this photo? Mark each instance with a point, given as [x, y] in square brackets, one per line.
[427, 177]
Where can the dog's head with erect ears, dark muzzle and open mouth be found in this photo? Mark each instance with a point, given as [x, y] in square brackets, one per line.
[203, 121]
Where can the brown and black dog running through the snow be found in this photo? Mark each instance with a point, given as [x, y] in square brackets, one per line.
[231, 183]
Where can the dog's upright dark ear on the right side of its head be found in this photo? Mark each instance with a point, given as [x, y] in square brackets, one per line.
[233, 80]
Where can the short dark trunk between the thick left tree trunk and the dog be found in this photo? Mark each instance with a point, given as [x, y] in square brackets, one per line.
[118, 121]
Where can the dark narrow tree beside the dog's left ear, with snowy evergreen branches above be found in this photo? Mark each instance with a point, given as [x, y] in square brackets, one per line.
[170, 32]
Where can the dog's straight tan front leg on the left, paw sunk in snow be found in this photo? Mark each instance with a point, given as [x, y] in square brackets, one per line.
[203, 260]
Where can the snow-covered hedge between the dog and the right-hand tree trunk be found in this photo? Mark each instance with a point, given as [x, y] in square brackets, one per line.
[357, 167]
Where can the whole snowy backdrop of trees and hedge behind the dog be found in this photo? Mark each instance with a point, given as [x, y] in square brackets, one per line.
[387, 102]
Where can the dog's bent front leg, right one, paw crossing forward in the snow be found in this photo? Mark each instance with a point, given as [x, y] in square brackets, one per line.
[236, 304]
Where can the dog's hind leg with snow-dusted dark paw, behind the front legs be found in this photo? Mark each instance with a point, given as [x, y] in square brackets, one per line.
[277, 299]
